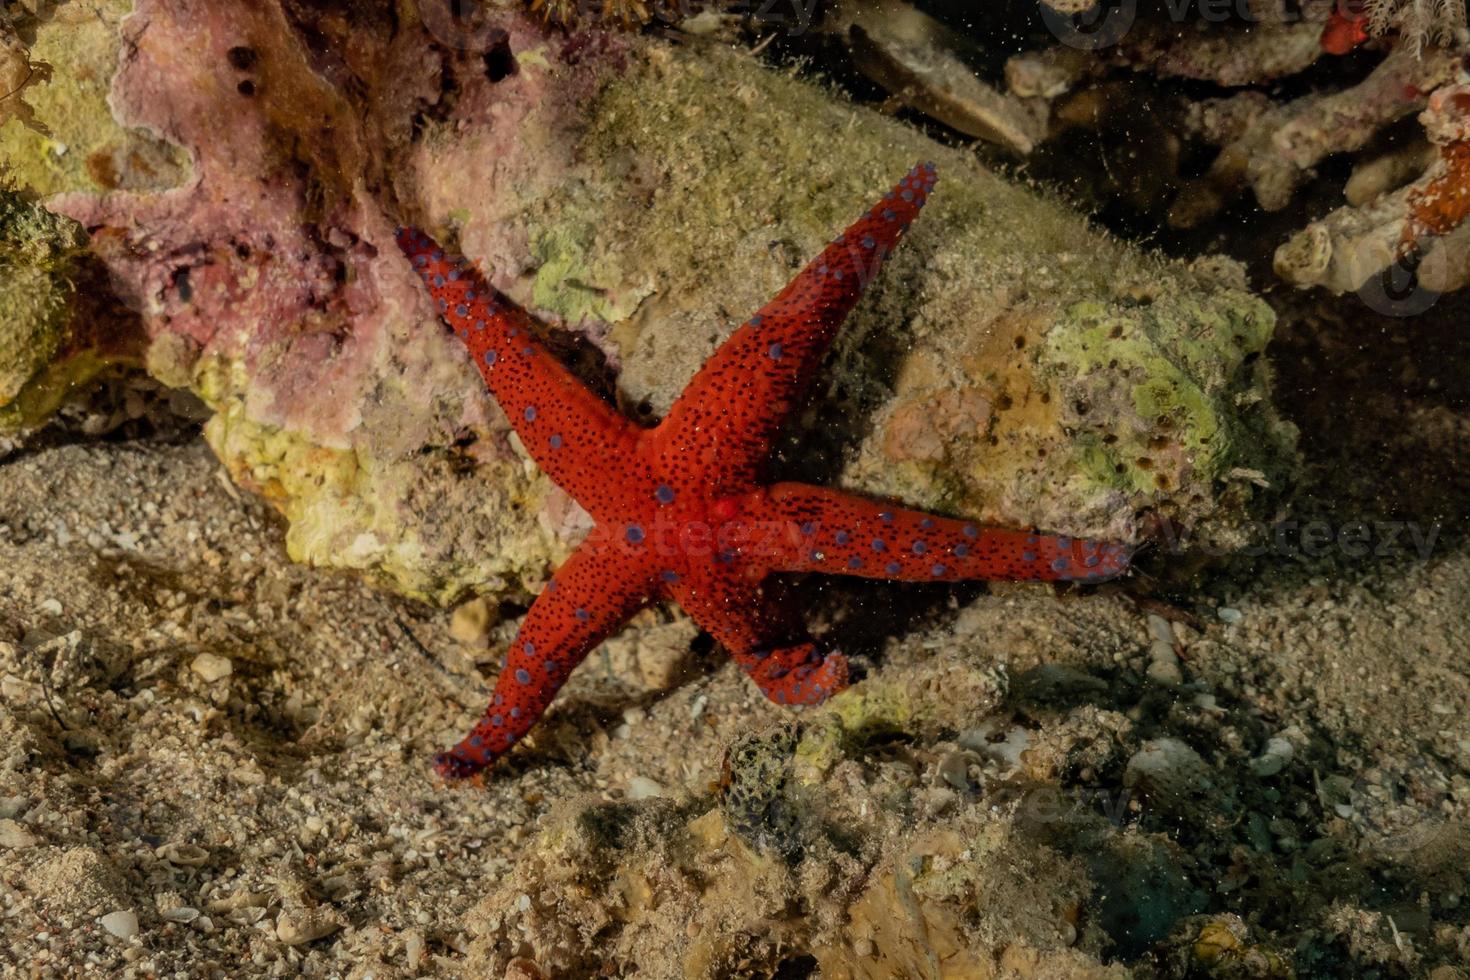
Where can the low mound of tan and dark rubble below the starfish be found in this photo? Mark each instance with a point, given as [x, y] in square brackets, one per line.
[946, 813]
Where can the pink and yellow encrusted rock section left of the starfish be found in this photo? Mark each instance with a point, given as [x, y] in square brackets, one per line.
[264, 286]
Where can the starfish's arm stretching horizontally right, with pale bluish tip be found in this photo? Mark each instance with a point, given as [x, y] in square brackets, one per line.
[821, 530]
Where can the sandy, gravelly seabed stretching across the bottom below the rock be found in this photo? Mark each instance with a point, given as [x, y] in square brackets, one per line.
[215, 762]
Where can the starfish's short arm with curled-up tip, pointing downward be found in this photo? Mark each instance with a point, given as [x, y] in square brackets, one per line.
[764, 637]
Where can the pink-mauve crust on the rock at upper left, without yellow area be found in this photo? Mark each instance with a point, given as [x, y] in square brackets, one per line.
[265, 256]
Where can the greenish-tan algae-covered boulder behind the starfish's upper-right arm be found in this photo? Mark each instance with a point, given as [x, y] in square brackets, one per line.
[1015, 364]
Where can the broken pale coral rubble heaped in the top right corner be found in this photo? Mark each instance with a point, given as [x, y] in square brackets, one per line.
[1284, 111]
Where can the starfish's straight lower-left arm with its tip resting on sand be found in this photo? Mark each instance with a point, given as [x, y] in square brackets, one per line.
[595, 593]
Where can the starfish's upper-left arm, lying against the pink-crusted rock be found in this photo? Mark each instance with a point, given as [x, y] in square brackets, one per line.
[571, 433]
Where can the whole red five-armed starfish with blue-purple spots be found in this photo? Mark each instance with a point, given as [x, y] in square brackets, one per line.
[684, 511]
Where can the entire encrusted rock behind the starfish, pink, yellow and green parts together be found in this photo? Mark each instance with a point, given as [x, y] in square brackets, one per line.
[1017, 367]
